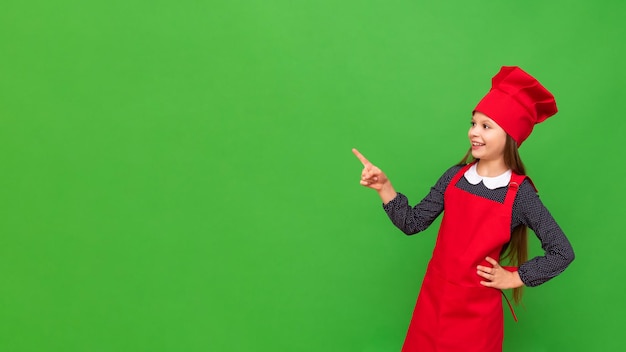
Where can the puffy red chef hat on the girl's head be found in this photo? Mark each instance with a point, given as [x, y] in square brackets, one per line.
[516, 102]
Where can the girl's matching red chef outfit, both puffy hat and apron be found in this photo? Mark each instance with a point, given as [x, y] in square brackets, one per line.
[454, 312]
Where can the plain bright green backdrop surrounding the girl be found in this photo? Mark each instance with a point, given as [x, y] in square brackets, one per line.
[177, 175]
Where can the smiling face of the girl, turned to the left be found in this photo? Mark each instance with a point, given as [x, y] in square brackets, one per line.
[487, 138]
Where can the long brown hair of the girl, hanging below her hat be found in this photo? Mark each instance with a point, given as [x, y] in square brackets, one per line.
[516, 251]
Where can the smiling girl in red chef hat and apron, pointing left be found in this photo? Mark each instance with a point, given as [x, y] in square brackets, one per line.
[488, 203]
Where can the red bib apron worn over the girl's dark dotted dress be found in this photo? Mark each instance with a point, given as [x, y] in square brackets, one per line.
[454, 312]
